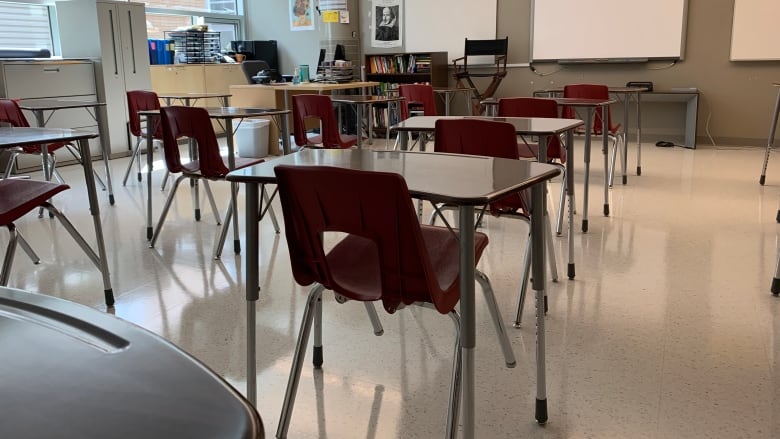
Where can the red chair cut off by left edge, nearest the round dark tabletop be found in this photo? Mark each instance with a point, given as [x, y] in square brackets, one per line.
[19, 197]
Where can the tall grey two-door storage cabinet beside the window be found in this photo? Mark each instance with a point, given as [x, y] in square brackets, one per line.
[114, 33]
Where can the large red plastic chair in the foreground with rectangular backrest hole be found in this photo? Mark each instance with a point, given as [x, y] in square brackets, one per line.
[386, 256]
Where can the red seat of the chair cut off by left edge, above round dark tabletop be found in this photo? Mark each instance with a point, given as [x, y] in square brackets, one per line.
[17, 197]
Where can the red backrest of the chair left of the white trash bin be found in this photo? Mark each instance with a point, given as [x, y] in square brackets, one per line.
[193, 123]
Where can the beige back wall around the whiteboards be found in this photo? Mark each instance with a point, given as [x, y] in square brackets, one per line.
[737, 98]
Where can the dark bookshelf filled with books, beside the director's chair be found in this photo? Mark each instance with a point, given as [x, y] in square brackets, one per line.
[393, 69]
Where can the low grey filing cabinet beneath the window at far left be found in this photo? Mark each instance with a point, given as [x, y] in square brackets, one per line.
[52, 79]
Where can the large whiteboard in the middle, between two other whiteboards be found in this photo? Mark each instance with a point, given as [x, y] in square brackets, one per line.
[607, 30]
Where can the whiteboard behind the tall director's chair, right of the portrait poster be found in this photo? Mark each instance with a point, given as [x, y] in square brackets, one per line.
[438, 25]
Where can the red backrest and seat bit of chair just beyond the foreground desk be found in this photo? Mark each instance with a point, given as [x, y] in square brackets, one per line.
[485, 138]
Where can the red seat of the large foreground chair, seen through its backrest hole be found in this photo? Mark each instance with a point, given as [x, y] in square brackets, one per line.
[354, 265]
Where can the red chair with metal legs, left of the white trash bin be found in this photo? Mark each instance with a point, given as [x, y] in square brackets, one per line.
[194, 123]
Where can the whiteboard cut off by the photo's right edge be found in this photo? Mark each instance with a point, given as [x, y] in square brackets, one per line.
[755, 34]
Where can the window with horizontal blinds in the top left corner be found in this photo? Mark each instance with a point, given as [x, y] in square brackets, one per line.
[25, 26]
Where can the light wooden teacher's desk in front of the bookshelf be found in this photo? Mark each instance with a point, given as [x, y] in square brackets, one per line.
[278, 96]
